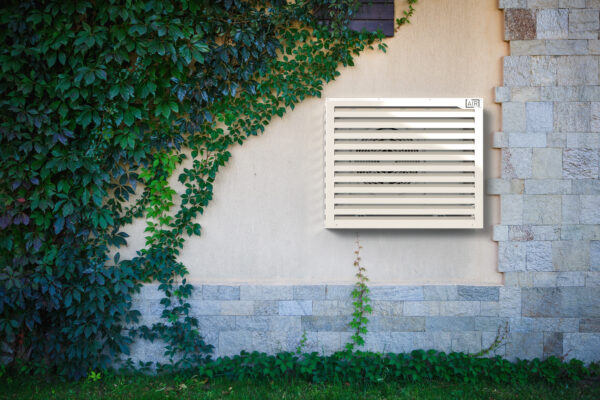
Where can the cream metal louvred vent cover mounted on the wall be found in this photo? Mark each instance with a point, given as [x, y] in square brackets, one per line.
[404, 163]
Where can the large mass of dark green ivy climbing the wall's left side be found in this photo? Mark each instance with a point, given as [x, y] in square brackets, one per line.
[100, 103]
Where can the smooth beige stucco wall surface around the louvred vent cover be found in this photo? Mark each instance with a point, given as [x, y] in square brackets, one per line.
[265, 224]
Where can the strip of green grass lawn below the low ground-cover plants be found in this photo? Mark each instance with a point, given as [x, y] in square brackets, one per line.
[174, 387]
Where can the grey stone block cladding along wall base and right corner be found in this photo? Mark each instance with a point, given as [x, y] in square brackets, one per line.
[548, 239]
